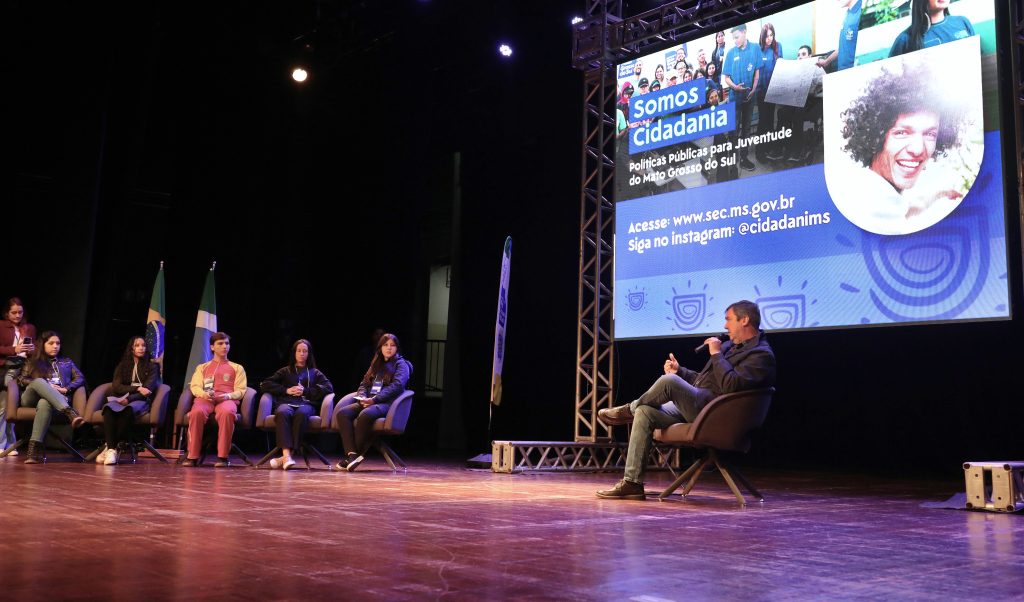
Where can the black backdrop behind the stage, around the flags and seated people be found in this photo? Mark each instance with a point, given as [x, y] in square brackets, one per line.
[181, 140]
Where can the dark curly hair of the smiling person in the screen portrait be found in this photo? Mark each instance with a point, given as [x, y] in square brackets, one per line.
[868, 121]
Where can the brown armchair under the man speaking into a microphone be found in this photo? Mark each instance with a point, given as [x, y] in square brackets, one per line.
[723, 425]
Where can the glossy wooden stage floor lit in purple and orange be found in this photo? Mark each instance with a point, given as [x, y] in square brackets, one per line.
[154, 532]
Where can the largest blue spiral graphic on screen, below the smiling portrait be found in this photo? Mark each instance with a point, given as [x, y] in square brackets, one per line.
[935, 275]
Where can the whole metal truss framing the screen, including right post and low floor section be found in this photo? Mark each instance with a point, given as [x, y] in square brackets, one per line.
[602, 40]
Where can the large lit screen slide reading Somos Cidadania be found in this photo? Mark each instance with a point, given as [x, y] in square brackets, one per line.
[838, 163]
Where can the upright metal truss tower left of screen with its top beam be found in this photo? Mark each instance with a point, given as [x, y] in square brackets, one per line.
[602, 40]
